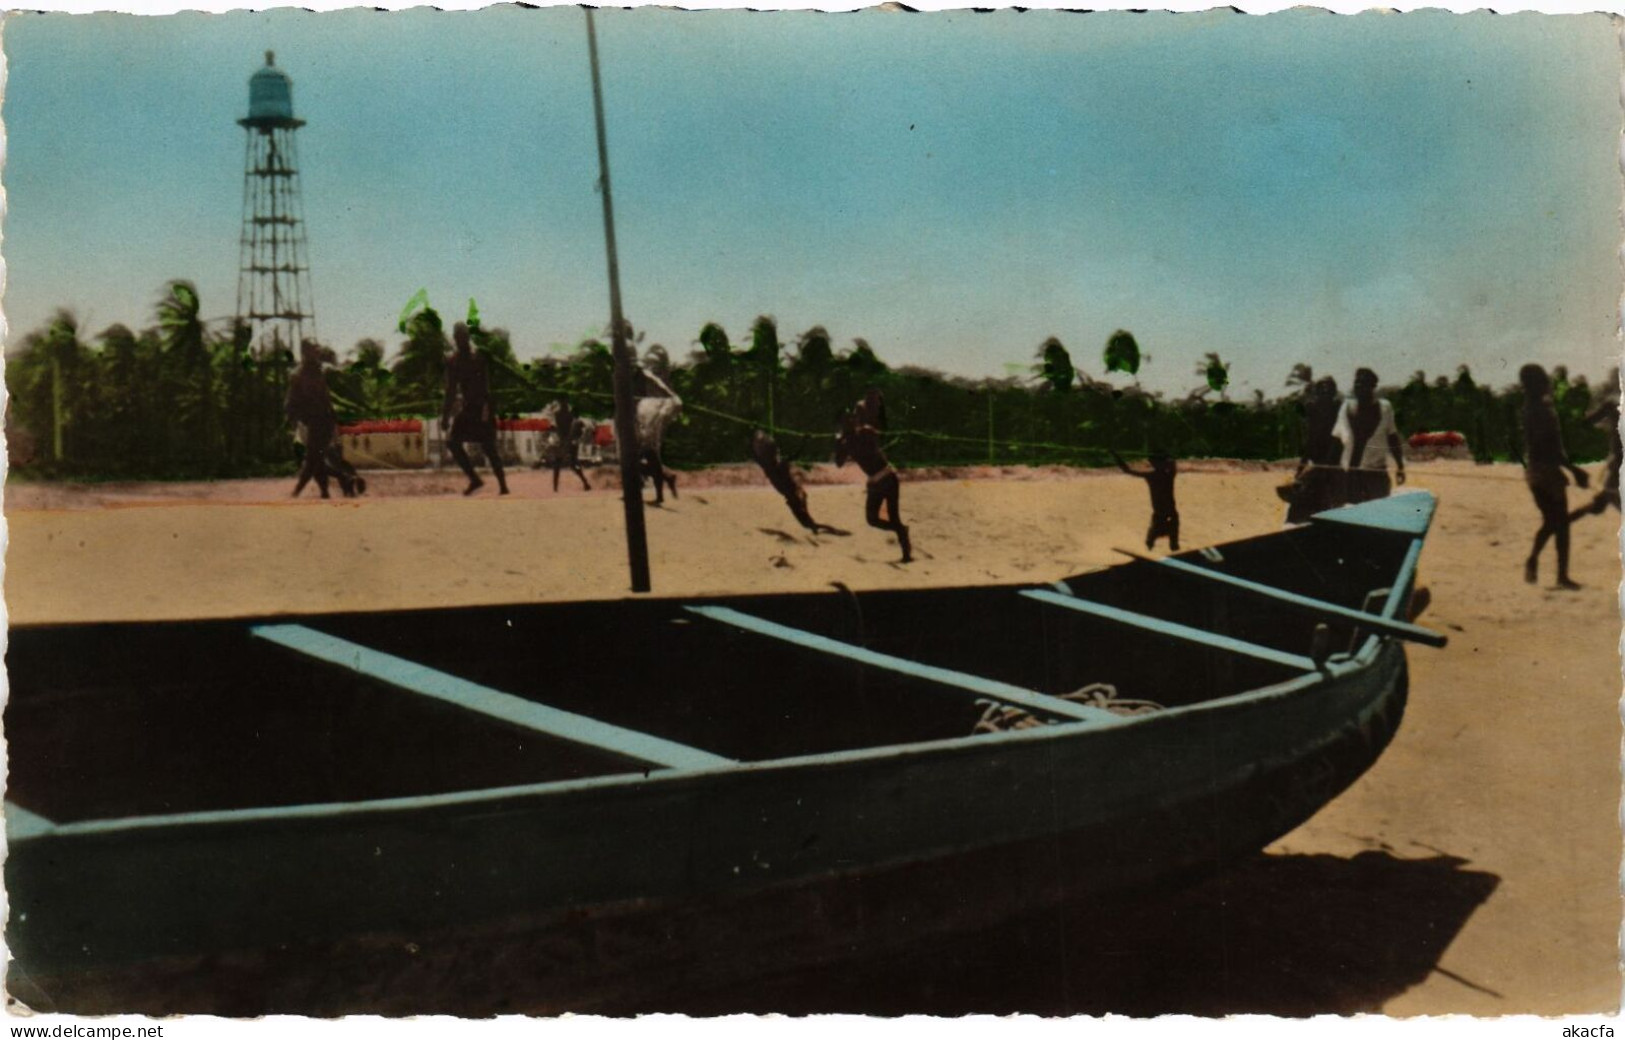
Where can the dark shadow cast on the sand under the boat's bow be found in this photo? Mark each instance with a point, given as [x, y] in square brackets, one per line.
[1286, 935]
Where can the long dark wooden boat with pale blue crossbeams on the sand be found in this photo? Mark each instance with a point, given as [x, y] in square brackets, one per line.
[776, 778]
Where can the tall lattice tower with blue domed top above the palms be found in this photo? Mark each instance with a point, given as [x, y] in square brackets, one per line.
[274, 282]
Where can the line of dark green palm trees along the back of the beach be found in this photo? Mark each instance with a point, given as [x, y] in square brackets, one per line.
[186, 399]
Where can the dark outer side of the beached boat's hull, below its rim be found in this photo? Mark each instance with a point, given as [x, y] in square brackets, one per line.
[734, 872]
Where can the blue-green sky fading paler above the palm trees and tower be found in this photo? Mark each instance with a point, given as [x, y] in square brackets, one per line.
[1400, 191]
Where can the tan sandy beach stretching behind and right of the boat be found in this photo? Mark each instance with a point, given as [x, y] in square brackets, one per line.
[1488, 834]
